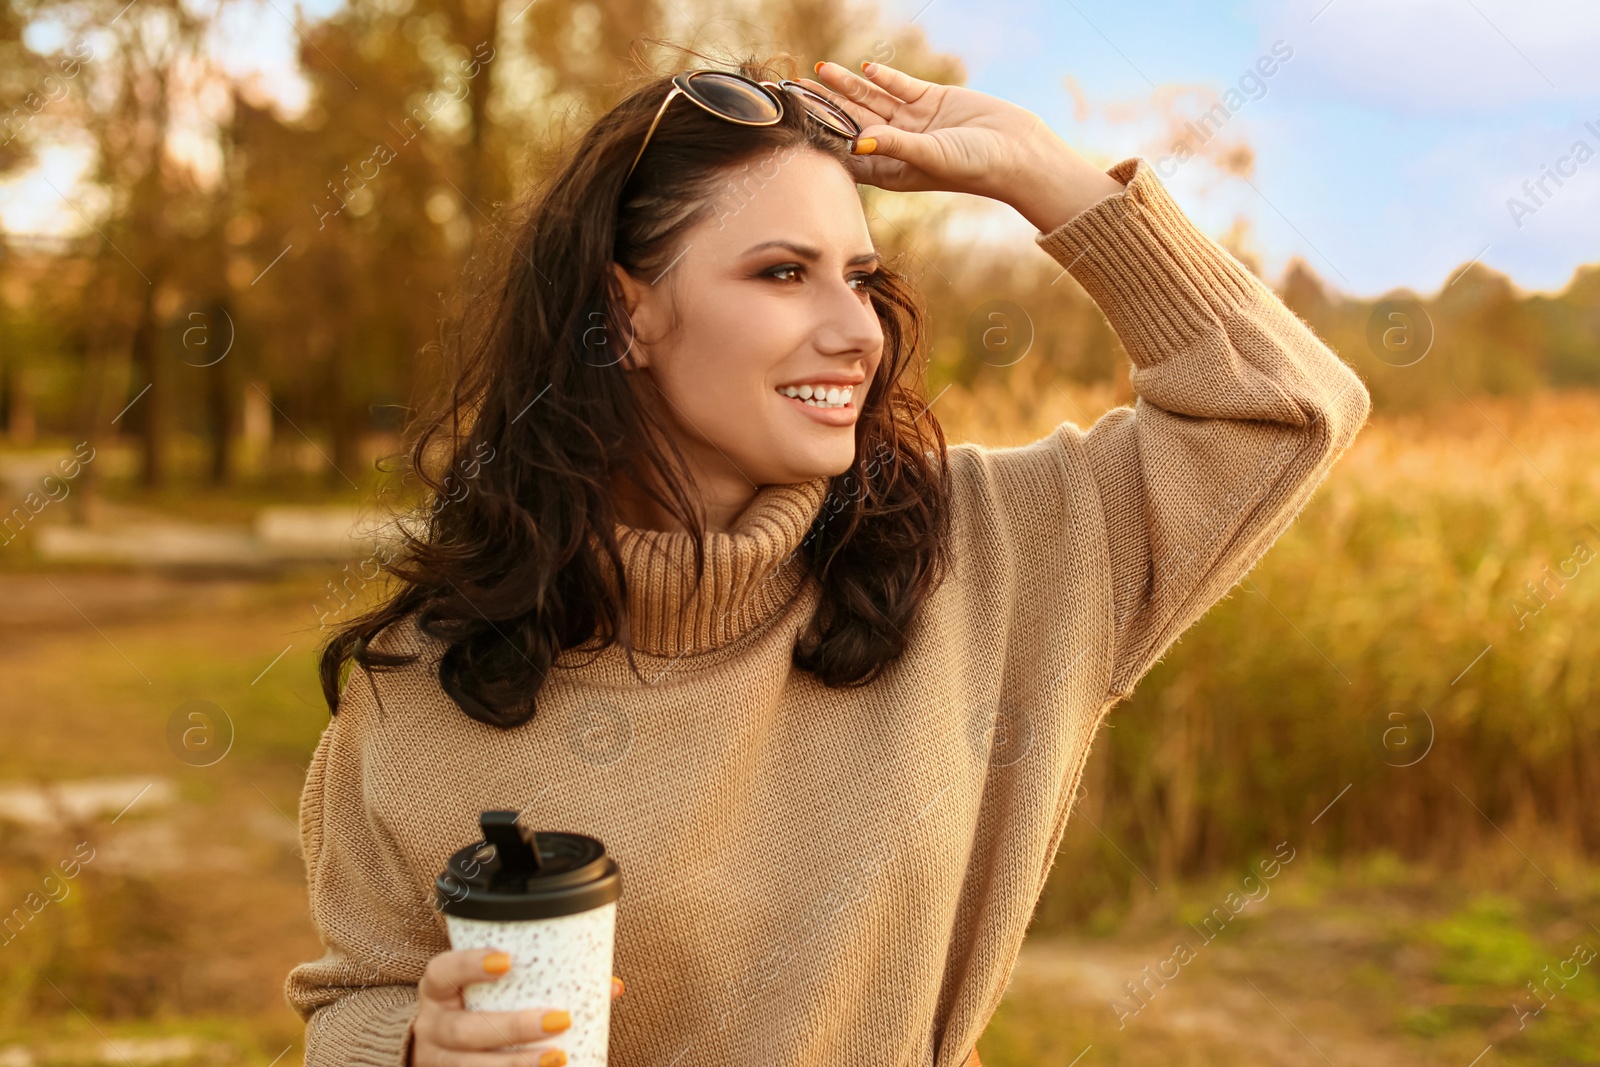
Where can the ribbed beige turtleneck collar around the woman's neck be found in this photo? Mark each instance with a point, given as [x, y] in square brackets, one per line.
[751, 573]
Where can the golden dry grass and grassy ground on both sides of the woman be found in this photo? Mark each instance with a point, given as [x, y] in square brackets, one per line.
[1399, 573]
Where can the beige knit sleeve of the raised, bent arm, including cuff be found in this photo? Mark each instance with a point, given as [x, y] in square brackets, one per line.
[1241, 412]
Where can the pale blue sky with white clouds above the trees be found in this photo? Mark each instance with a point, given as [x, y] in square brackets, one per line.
[1394, 142]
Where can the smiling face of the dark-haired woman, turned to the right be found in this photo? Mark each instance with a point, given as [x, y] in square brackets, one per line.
[772, 298]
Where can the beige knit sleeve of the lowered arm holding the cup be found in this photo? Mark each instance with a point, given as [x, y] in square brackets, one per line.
[377, 929]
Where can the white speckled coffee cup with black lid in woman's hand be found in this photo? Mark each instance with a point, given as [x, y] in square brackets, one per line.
[553, 911]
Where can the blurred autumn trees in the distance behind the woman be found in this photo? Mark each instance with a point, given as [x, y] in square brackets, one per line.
[327, 249]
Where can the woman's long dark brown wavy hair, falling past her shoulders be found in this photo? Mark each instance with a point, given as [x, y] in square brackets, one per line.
[506, 567]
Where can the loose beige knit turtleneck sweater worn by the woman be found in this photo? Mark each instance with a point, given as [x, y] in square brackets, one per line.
[820, 876]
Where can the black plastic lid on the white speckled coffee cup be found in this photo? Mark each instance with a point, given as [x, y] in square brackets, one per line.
[513, 874]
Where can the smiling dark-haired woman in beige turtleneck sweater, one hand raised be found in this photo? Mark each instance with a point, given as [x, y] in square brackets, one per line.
[823, 685]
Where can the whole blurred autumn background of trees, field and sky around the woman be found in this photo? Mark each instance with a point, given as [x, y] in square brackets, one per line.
[1350, 820]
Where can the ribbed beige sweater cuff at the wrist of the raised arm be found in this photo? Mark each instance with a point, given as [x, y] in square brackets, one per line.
[1158, 278]
